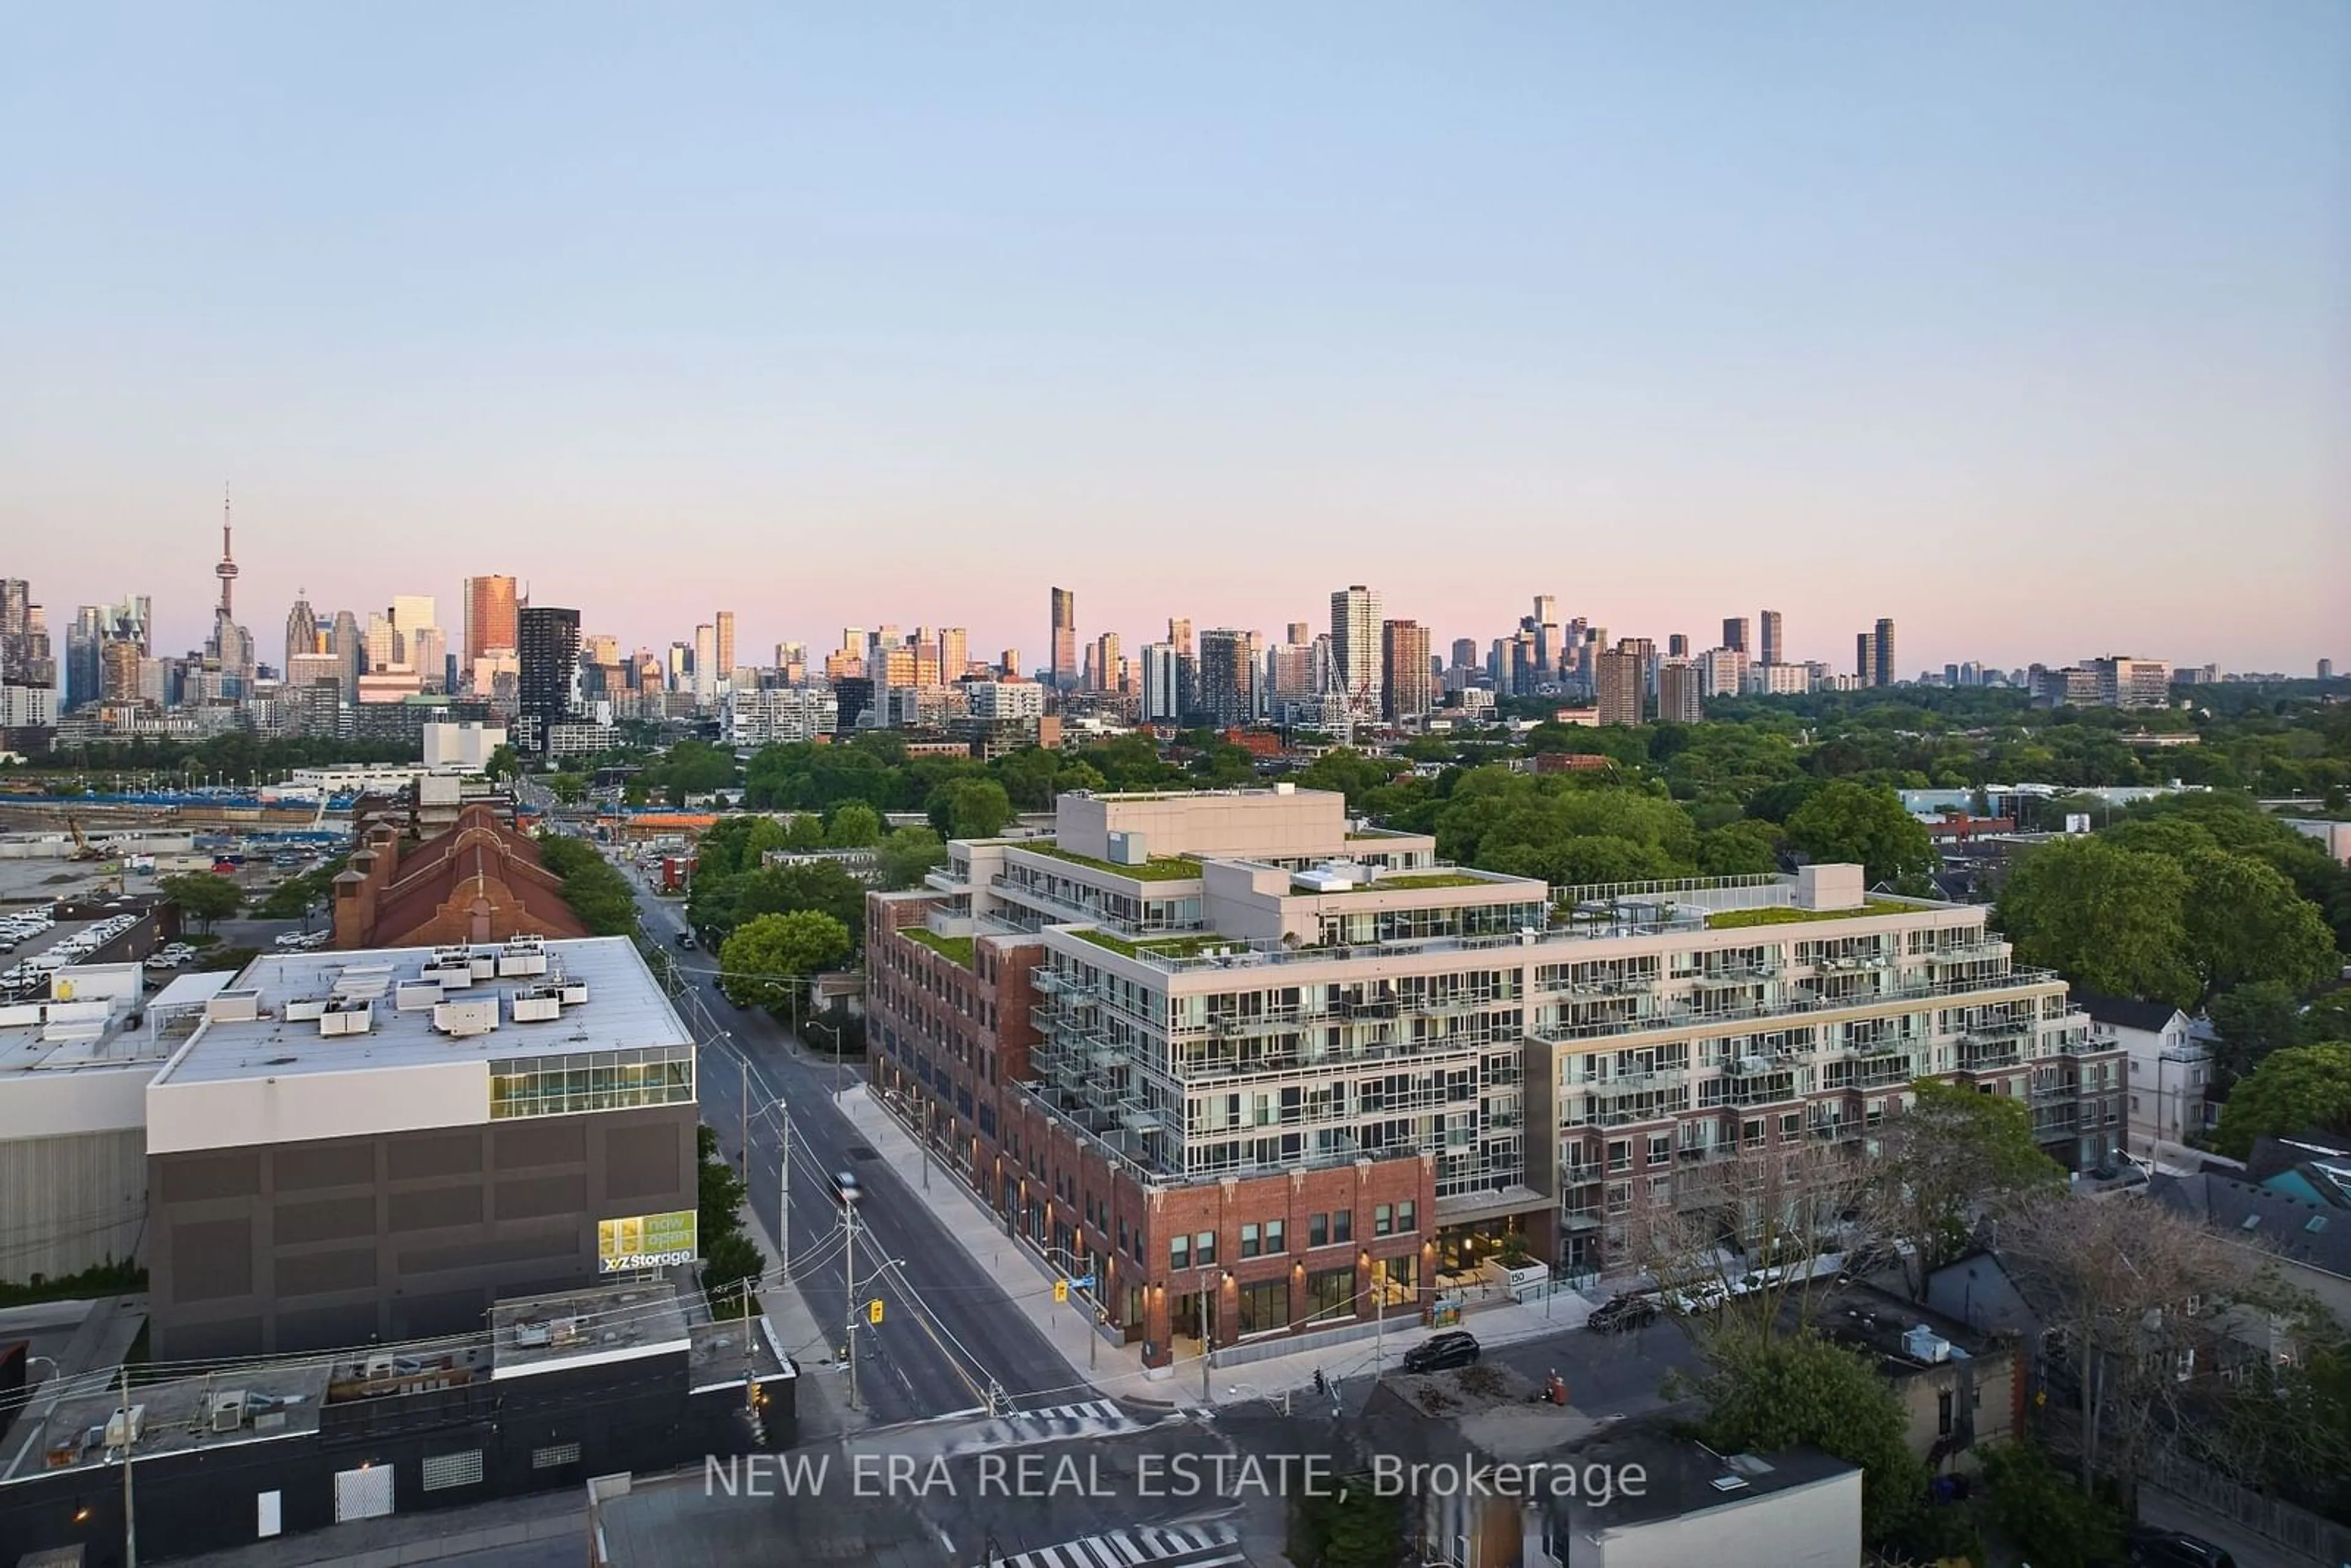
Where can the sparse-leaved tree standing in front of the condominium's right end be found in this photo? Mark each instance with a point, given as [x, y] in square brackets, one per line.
[1948, 1165]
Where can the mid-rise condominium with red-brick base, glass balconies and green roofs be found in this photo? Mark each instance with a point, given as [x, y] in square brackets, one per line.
[1259, 1068]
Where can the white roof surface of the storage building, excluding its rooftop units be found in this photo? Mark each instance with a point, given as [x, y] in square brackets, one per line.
[624, 1012]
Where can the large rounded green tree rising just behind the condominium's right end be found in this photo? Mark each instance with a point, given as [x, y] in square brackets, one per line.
[2103, 916]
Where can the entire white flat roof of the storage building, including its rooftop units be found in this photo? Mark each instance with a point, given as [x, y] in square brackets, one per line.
[295, 1014]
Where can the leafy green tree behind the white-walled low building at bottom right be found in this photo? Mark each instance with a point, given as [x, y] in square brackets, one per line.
[1783, 1393]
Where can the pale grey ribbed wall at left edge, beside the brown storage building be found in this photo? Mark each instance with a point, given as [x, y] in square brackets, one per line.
[72, 1202]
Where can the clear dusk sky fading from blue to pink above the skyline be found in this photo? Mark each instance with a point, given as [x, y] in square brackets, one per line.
[2028, 326]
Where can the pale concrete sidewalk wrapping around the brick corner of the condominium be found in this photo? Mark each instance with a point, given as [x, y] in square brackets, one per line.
[1029, 1280]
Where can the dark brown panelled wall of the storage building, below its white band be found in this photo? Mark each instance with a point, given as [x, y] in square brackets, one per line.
[387, 1238]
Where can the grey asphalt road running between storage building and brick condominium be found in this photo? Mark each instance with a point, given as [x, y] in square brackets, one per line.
[949, 1334]
